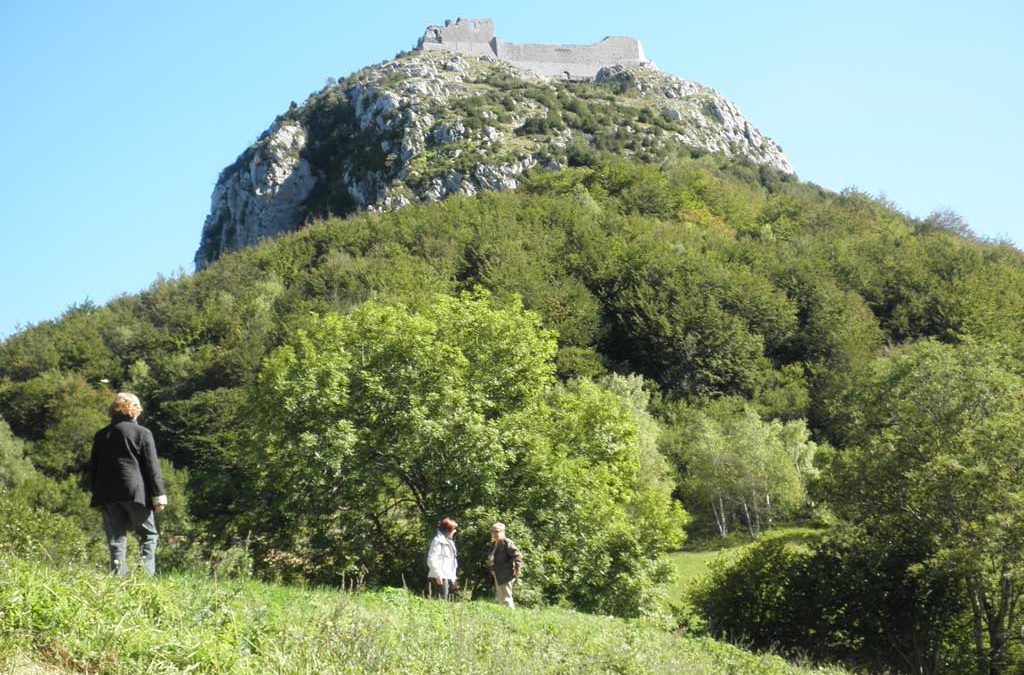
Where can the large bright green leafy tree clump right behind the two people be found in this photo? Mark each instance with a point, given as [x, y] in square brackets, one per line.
[373, 426]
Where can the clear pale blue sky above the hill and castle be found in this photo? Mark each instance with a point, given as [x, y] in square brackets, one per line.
[117, 117]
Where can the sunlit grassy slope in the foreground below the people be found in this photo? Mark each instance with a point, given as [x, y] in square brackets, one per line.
[75, 620]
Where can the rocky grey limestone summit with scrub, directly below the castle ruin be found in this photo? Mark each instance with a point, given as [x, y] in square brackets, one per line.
[429, 125]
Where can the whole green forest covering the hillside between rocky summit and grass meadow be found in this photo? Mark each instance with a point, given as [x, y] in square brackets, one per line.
[613, 359]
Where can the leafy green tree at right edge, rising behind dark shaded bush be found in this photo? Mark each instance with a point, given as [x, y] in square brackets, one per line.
[942, 460]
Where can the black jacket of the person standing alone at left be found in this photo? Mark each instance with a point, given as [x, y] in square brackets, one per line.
[124, 467]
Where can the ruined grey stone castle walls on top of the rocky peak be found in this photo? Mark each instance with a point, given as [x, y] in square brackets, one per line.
[476, 37]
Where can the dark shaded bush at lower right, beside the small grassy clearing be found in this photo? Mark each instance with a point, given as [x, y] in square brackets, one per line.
[840, 597]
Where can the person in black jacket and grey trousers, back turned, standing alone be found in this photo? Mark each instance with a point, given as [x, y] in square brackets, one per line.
[127, 485]
